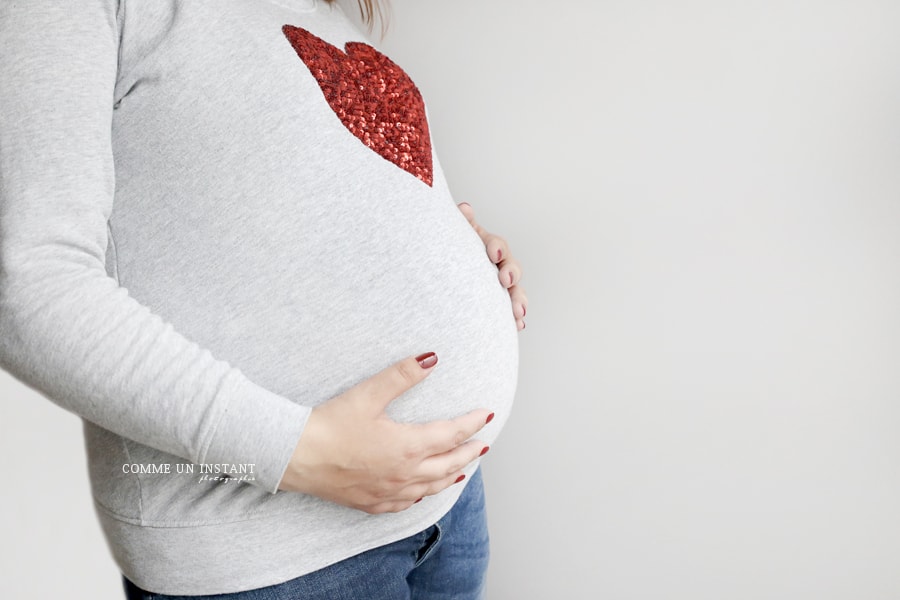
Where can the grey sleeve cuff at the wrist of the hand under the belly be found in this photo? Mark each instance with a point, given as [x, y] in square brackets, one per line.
[257, 427]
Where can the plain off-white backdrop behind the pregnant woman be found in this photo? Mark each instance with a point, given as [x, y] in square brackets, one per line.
[706, 198]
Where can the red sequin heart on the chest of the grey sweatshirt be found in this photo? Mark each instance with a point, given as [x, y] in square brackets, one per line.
[373, 97]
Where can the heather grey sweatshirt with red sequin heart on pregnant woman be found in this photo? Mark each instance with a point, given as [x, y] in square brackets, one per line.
[214, 215]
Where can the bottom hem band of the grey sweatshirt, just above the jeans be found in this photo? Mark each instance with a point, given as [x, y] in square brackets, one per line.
[256, 552]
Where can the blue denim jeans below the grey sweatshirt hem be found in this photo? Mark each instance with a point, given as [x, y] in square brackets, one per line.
[446, 561]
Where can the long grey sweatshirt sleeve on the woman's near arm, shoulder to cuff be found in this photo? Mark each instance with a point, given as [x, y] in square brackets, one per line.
[67, 329]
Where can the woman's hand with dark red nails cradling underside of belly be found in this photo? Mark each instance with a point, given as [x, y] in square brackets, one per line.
[351, 453]
